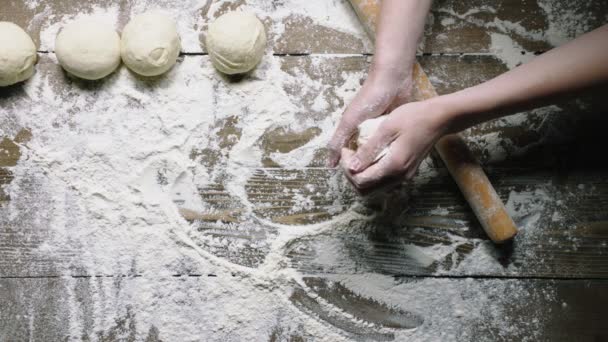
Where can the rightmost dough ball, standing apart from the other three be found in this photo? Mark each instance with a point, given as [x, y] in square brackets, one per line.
[236, 42]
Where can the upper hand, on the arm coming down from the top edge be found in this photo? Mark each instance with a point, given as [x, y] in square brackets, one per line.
[384, 90]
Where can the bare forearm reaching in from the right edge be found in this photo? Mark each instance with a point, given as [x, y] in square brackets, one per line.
[576, 65]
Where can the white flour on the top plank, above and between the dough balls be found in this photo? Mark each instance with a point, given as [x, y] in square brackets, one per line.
[193, 16]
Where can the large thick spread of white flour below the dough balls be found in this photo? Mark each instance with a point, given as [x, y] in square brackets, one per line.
[107, 158]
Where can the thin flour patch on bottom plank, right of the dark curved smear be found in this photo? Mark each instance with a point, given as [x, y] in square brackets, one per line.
[469, 302]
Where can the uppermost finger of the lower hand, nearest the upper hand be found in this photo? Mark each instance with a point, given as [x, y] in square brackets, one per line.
[368, 153]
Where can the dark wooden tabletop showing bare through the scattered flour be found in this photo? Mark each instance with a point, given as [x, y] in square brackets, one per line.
[561, 251]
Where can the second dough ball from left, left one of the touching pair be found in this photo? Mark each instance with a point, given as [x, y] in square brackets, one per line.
[88, 49]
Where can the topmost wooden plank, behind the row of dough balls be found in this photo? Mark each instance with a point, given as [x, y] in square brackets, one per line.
[452, 27]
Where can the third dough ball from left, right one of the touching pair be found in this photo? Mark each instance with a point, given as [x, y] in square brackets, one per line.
[150, 43]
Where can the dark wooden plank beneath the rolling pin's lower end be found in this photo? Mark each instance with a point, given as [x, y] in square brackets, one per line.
[418, 239]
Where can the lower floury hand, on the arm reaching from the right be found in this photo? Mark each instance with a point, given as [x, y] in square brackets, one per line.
[409, 132]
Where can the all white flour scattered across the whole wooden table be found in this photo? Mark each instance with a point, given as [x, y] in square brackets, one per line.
[107, 161]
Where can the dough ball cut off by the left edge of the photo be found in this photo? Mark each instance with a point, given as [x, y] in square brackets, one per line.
[17, 54]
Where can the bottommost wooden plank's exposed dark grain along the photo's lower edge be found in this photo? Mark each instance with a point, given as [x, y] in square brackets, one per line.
[559, 310]
